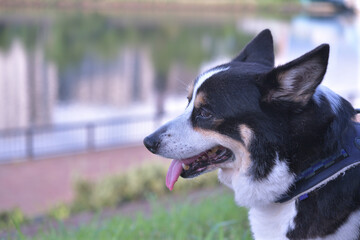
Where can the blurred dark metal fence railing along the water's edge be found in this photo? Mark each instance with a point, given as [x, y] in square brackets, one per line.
[47, 140]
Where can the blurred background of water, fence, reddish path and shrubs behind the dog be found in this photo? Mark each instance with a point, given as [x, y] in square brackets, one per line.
[83, 82]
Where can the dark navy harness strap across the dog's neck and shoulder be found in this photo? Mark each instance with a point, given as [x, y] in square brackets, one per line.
[329, 168]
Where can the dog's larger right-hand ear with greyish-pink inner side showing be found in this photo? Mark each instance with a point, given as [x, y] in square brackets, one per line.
[297, 80]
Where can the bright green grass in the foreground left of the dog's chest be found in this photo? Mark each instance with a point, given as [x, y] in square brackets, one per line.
[216, 217]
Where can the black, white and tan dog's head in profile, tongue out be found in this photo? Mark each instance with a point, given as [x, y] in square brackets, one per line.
[238, 119]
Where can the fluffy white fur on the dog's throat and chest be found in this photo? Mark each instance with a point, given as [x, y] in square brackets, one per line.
[268, 220]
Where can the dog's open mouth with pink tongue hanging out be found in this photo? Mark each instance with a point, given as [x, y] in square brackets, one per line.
[196, 165]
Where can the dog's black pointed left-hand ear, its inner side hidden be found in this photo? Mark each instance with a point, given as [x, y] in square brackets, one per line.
[258, 50]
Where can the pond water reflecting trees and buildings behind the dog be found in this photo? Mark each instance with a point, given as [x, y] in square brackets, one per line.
[80, 68]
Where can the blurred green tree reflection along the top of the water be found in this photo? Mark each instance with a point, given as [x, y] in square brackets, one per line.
[72, 38]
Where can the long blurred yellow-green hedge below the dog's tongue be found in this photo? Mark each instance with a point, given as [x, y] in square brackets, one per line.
[134, 184]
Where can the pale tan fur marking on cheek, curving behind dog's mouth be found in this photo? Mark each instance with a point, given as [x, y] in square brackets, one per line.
[242, 155]
